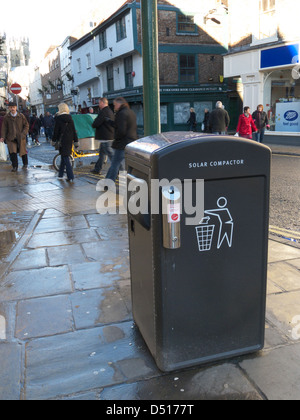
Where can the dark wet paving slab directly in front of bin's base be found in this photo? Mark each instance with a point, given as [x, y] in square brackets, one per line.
[224, 382]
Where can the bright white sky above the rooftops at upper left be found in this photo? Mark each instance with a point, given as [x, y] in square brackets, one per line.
[49, 23]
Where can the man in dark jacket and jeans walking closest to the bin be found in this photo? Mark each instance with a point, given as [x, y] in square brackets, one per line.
[126, 132]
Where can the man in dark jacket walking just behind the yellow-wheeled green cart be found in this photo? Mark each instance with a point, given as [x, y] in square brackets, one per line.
[104, 131]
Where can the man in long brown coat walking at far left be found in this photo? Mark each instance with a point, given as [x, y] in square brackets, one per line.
[13, 132]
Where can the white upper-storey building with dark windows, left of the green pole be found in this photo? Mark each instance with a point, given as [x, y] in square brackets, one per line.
[106, 62]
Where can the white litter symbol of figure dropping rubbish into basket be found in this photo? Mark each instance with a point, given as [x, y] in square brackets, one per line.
[219, 218]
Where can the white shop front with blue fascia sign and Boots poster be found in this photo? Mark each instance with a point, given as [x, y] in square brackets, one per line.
[270, 76]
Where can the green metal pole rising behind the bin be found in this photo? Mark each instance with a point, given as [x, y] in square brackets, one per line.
[150, 67]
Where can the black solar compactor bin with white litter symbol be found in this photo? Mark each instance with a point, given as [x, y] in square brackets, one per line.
[198, 286]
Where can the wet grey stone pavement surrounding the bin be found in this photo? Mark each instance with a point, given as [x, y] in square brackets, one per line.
[66, 327]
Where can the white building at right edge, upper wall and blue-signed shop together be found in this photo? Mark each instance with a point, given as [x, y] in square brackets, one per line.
[263, 59]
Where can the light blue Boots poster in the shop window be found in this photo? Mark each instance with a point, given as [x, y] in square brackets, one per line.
[288, 117]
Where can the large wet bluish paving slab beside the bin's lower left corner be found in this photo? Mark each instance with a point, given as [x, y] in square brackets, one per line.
[84, 360]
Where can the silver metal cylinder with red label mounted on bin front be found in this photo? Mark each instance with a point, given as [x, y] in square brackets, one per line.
[171, 206]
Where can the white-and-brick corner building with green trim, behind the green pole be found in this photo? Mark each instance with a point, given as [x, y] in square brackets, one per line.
[192, 39]
